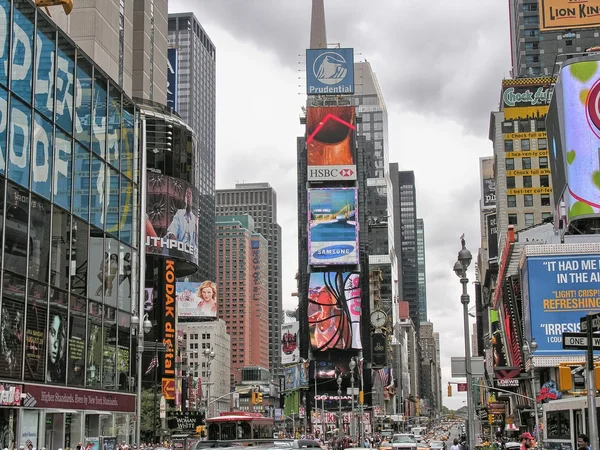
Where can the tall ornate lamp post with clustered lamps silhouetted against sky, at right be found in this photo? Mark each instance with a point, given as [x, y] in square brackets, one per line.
[460, 268]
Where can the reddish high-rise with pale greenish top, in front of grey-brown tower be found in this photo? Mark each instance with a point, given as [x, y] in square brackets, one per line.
[242, 280]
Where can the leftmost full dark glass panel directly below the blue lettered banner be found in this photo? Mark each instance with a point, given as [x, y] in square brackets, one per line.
[16, 236]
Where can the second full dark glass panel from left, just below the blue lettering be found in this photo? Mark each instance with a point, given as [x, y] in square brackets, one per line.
[39, 249]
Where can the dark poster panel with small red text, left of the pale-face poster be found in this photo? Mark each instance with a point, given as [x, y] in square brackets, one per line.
[35, 332]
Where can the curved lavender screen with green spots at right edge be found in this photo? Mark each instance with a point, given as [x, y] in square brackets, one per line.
[578, 92]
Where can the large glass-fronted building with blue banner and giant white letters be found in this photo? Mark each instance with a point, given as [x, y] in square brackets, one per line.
[69, 205]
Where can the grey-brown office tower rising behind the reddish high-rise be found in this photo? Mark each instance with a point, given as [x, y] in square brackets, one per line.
[259, 200]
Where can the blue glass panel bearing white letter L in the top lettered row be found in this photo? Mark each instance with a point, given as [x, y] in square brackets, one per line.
[45, 53]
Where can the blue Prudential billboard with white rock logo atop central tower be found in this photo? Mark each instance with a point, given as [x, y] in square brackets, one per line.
[330, 71]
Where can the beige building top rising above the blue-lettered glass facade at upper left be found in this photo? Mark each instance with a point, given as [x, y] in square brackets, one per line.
[127, 39]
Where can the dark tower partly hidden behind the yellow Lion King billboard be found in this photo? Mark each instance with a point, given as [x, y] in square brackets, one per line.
[534, 52]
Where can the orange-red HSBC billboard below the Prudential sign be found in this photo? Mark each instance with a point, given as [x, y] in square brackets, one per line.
[330, 144]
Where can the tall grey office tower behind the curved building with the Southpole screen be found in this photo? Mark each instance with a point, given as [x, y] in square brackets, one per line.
[194, 99]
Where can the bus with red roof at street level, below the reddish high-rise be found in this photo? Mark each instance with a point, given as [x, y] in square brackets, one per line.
[235, 426]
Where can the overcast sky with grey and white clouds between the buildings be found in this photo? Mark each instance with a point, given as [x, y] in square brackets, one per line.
[440, 66]
